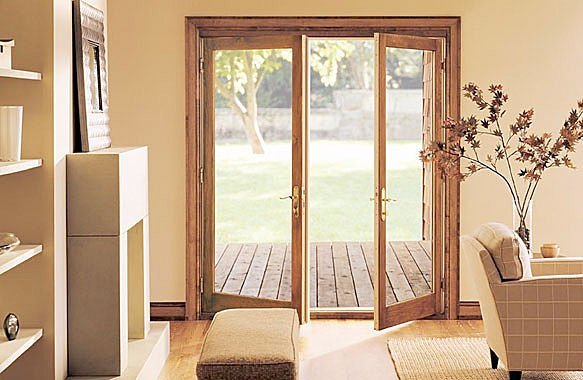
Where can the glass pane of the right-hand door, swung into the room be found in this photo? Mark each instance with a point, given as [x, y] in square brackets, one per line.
[409, 257]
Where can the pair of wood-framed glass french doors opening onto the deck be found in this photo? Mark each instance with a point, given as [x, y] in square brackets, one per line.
[255, 244]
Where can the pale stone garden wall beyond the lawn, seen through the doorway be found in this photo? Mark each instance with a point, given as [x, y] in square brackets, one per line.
[351, 117]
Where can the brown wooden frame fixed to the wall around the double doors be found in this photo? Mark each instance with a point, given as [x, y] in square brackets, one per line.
[448, 28]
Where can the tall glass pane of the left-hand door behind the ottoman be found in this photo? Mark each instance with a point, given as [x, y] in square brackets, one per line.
[253, 171]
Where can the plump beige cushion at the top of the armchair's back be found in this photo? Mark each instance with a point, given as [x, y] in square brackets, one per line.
[507, 249]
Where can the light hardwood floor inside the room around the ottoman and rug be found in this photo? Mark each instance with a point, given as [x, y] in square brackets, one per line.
[329, 349]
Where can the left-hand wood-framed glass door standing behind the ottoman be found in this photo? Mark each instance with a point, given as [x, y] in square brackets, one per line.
[254, 190]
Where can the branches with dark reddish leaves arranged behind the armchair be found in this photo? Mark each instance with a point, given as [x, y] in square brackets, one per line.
[517, 152]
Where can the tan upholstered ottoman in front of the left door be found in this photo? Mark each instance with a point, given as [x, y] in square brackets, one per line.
[247, 344]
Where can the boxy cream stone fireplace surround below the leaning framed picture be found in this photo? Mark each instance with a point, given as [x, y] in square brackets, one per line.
[108, 260]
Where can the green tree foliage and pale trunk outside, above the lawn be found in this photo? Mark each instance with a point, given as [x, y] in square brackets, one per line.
[334, 64]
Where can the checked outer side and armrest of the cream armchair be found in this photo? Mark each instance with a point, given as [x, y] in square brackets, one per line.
[539, 317]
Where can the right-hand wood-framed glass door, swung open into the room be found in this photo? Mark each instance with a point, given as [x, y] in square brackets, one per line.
[399, 298]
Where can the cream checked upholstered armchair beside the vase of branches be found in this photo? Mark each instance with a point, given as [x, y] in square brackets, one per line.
[533, 321]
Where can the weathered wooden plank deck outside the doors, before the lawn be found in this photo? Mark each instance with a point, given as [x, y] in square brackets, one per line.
[341, 273]
